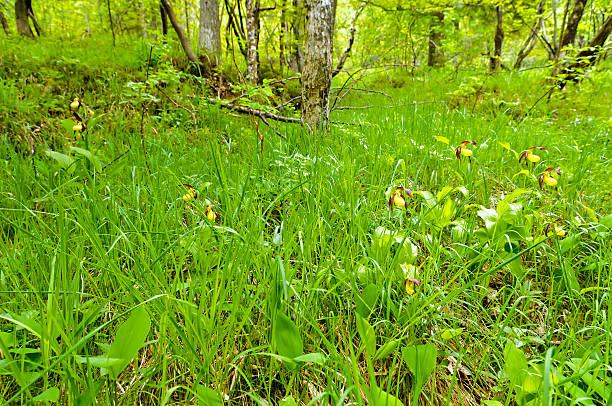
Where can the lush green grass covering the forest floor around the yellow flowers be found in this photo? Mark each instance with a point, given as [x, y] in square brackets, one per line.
[305, 256]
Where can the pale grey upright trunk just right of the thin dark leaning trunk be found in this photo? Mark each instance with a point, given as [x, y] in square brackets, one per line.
[209, 41]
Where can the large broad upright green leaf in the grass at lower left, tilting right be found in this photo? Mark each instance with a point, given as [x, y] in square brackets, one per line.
[130, 337]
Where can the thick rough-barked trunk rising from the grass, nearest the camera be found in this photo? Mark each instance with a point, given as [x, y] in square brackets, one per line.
[317, 71]
